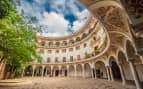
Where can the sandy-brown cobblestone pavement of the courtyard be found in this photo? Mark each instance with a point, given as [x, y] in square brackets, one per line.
[70, 83]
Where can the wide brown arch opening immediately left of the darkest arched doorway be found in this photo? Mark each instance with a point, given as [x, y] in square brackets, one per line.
[100, 70]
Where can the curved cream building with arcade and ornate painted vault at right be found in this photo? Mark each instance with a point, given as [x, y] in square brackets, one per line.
[107, 47]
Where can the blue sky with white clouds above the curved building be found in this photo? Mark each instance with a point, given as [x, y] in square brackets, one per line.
[57, 17]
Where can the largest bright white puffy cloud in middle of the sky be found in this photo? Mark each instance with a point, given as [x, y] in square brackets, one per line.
[56, 23]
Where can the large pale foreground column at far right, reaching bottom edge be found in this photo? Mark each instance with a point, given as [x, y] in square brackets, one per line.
[135, 75]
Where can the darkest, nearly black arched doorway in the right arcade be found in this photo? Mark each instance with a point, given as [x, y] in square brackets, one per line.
[115, 69]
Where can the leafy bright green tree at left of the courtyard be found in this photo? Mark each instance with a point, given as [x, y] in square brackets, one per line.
[17, 39]
